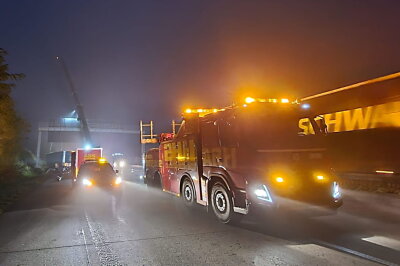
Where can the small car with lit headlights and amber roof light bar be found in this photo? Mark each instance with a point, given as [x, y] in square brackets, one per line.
[98, 173]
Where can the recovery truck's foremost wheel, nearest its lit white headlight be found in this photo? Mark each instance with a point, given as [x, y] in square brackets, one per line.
[222, 203]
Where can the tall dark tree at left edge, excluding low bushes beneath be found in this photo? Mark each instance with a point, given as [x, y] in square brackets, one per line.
[11, 126]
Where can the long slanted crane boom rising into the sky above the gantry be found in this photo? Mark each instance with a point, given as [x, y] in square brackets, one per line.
[79, 108]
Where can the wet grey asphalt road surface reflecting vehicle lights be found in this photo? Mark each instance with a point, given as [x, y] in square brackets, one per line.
[57, 225]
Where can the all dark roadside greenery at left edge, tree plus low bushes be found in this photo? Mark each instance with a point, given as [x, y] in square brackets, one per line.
[17, 171]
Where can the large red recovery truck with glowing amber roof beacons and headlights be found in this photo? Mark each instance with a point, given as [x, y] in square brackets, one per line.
[243, 157]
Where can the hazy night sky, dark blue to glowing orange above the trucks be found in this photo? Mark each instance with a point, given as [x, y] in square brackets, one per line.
[133, 60]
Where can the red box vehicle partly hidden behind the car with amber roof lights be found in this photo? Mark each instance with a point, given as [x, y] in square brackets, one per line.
[80, 156]
